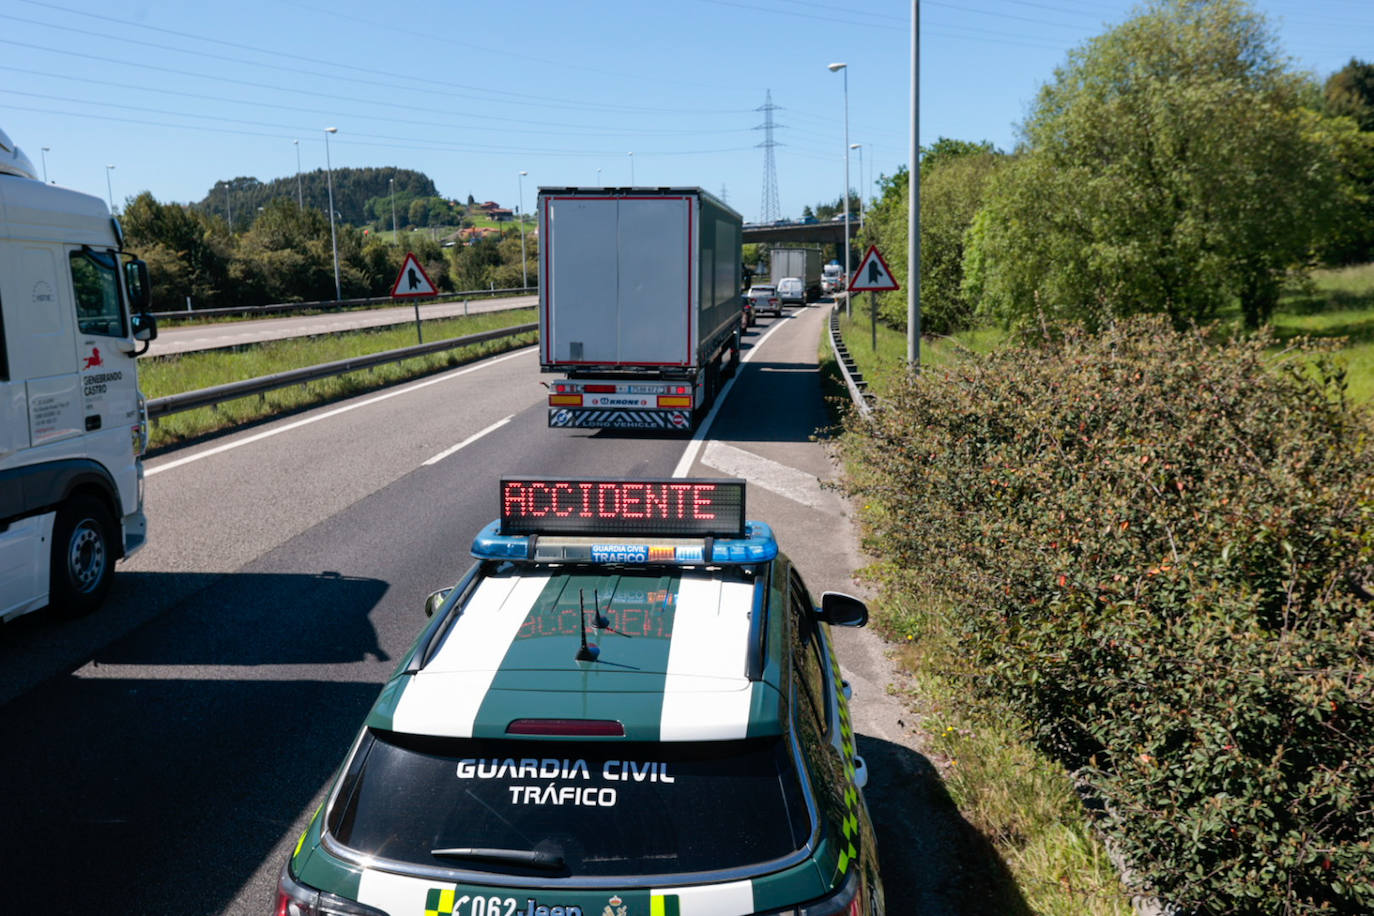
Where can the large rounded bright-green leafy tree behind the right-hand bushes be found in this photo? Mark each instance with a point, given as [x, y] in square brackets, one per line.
[1170, 167]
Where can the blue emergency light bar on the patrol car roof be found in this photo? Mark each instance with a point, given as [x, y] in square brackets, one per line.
[759, 547]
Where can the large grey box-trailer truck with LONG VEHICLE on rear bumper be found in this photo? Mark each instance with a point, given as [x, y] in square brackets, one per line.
[640, 304]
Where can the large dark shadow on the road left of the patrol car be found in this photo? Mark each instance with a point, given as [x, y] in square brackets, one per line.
[183, 755]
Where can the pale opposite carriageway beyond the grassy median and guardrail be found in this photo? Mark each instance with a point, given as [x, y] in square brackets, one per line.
[222, 334]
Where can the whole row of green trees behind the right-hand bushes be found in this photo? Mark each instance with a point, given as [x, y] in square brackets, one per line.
[1174, 165]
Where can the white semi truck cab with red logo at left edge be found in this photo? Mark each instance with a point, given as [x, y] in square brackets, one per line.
[74, 424]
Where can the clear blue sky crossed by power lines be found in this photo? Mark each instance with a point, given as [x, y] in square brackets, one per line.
[178, 95]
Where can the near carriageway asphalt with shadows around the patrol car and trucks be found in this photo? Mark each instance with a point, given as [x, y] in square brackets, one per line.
[164, 755]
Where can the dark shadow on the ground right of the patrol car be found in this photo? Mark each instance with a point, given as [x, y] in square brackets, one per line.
[934, 862]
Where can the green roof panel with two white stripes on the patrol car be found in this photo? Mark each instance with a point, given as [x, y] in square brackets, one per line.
[673, 656]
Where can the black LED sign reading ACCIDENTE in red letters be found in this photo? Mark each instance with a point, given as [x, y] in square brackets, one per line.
[646, 509]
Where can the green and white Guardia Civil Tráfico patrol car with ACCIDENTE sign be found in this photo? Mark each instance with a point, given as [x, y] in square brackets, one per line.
[629, 707]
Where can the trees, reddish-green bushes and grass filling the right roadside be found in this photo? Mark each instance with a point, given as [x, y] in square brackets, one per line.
[1120, 520]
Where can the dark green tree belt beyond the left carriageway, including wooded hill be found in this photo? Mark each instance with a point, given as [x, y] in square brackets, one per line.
[278, 251]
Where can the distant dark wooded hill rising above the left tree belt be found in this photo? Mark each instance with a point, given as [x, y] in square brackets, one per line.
[352, 190]
